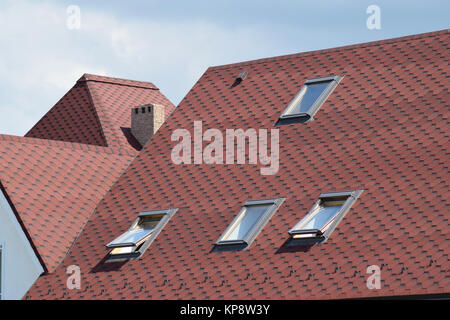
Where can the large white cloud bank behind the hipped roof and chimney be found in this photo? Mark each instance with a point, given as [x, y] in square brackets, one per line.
[43, 59]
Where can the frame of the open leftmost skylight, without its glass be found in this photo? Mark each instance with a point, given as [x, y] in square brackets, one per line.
[137, 248]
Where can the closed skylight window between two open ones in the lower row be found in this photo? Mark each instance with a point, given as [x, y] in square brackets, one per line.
[249, 222]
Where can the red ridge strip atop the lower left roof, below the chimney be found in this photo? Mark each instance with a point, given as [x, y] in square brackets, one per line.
[64, 144]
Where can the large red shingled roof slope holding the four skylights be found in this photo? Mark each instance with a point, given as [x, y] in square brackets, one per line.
[384, 129]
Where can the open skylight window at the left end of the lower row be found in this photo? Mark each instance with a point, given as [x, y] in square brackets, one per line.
[141, 234]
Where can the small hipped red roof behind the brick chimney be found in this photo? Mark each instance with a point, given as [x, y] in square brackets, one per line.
[97, 111]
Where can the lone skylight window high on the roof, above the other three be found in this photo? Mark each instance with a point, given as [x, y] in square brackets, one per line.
[310, 97]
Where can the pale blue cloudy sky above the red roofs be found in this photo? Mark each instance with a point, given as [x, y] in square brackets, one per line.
[45, 48]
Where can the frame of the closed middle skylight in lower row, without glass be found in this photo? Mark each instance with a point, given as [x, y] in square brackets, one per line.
[245, 243]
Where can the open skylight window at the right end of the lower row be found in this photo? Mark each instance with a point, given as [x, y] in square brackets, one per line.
[325, 215]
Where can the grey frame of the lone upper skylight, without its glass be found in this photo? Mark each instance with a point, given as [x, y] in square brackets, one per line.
[334, 81]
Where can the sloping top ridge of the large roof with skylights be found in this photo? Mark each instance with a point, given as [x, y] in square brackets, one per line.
[335, 49]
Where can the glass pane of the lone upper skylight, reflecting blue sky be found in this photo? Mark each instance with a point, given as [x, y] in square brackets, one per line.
[306, 97]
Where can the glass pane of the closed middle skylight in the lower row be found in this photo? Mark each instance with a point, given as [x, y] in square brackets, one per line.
[249, 217]
